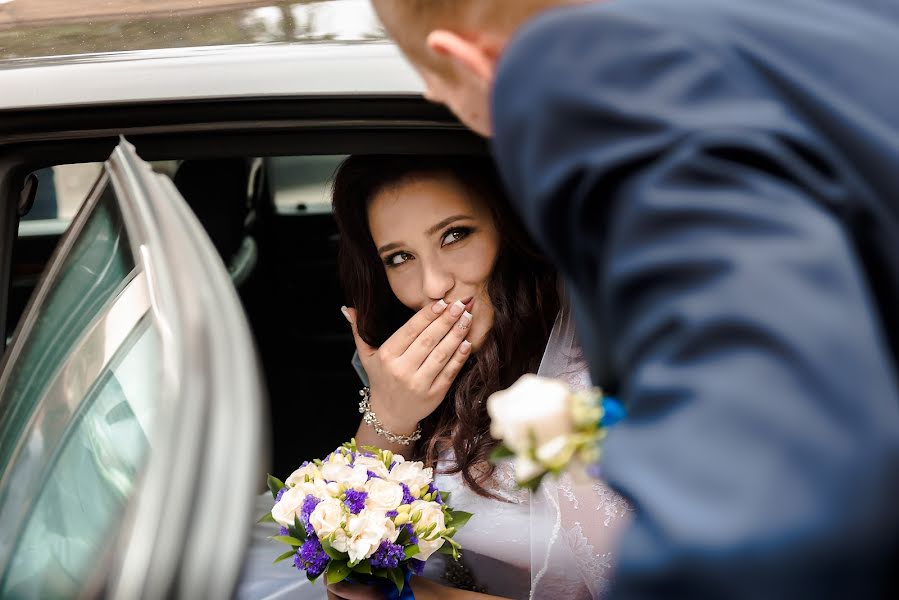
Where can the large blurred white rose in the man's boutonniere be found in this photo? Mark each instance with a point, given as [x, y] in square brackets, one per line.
[532, 406]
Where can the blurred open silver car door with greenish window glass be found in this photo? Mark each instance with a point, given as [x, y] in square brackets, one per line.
[130, 407]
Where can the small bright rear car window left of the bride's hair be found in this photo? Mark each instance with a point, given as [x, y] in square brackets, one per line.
[302, 183]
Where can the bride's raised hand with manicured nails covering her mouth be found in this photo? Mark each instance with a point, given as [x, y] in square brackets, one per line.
[410, 374]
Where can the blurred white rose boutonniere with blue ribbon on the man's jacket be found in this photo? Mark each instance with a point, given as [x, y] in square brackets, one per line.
[548, 428]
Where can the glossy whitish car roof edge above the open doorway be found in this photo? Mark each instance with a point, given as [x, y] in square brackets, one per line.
[246, 71]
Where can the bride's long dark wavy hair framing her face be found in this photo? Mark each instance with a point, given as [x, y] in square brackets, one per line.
[522, 289]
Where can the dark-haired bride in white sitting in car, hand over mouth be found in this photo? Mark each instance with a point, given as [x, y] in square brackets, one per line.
[452, 302]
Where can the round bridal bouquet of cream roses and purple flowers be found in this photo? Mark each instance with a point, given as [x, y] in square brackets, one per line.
[364, 514]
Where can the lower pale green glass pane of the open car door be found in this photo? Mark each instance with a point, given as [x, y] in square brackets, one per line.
[88, 485]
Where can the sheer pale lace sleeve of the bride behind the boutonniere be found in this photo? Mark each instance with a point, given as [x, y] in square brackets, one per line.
[576, 522]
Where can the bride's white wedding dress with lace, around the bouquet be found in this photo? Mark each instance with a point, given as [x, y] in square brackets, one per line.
[555, 543]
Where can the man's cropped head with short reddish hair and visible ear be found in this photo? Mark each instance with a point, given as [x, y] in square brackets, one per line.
[456, 44]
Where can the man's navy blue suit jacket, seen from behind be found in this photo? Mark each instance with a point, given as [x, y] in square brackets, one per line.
[718, 181]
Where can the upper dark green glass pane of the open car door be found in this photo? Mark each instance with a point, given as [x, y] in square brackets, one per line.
[93, 273]
